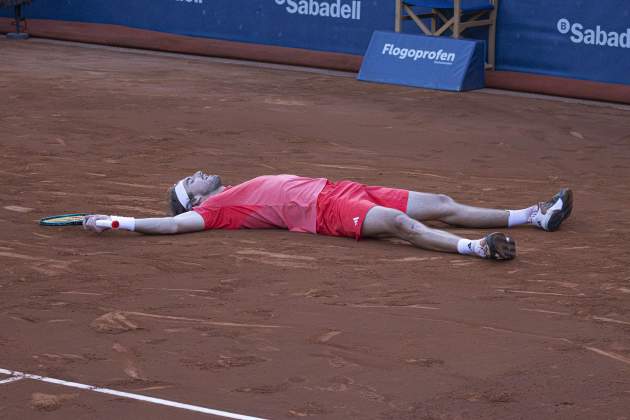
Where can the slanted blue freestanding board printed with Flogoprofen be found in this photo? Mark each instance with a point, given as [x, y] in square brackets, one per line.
[424, 61]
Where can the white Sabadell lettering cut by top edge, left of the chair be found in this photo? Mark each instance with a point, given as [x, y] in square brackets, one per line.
[339, 9]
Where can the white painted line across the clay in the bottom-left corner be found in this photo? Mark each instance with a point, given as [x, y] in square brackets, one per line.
[20, 375]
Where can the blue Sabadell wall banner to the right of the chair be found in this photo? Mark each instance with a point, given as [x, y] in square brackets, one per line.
[581, 39]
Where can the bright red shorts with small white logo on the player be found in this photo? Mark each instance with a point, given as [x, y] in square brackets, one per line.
[342, 206]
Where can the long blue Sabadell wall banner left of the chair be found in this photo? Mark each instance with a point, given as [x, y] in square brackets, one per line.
[324, 25]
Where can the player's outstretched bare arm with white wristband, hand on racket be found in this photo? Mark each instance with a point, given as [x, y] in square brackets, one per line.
[182, 223]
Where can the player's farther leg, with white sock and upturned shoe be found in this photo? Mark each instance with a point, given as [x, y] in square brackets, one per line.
[546, 215]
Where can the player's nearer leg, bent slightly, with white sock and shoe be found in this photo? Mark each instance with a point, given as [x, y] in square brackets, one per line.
[382, 221]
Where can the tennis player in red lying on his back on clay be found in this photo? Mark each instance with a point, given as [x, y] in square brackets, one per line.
[317, 205]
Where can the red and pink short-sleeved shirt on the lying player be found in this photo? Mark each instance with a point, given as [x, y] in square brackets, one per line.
[271, 201]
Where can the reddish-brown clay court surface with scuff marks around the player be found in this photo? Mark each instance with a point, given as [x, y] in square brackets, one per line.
[284, 325]
